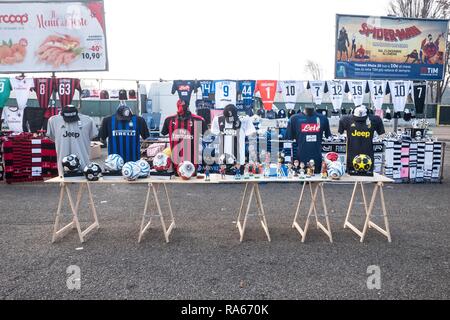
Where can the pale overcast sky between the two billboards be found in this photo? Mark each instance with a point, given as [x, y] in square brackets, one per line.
[179, 39]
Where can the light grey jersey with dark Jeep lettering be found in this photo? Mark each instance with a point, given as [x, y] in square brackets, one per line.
[72, 138]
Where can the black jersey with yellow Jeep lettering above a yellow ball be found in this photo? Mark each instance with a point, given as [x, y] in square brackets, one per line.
[360, 134]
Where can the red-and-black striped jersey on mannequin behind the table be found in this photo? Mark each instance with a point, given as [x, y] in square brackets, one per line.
[185, 135]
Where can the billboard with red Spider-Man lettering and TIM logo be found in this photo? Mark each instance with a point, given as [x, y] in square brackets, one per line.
[390, 48]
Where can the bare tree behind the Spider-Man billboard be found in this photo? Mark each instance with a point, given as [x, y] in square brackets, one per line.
[432, 9]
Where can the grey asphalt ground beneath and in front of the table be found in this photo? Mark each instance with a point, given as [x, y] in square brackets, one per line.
[205, 259]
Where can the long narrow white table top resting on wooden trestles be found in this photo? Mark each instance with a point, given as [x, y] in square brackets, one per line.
[217, 179]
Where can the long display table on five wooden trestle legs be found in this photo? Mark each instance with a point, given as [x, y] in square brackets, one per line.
[251, 192]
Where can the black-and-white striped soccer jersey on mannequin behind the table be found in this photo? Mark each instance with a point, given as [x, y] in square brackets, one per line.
[232, 136]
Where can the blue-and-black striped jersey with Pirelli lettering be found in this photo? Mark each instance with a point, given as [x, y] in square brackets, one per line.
[124, 136]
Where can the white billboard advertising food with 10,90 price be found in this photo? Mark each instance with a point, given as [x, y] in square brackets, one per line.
[52, 37]
